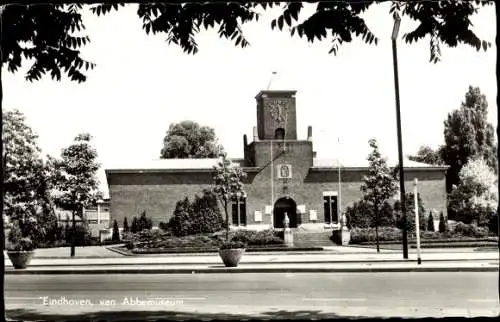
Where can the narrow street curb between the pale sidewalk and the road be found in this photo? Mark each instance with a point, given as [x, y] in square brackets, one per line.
[240, 270]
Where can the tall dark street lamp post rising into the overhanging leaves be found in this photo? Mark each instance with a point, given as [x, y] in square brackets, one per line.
[395, 31]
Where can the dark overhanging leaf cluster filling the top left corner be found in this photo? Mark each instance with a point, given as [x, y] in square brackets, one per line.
[49, 36]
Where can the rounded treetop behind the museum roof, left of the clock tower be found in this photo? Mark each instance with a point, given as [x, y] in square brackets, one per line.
[188, 139]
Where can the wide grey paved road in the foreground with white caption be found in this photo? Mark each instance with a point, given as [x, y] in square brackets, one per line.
[320, 295]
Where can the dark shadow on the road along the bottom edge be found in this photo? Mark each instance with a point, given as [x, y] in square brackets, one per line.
[32, 315]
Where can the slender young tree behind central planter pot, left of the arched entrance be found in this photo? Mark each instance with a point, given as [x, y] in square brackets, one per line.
[228, 184]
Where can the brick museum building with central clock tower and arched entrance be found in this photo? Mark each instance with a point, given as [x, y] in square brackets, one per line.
[283, 177]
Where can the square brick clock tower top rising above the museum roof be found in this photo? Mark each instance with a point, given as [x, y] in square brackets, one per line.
[276, 117]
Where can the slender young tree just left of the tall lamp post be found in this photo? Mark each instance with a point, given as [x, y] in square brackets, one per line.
[379, 185]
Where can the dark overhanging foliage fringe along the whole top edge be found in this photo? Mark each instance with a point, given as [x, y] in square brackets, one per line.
[50, 35]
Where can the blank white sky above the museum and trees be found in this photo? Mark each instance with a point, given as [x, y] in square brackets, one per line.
[141, 85]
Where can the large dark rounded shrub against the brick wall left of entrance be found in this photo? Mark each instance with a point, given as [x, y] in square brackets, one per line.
[201, 216]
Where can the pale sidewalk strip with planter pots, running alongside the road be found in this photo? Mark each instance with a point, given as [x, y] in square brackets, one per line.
[264, 262]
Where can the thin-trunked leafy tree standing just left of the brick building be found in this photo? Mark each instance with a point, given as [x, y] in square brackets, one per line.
[75, 177]
